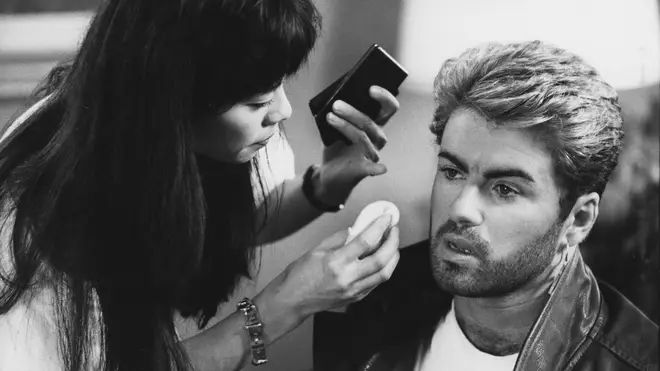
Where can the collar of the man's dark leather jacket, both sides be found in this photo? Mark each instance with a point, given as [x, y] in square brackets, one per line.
[572, 316]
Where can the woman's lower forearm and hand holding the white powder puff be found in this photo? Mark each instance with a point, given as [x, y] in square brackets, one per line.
[329, 276]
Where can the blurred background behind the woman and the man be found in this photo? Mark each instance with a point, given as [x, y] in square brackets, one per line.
[620, 38]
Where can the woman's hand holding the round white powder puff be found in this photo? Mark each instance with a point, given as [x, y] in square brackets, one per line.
[332, 275]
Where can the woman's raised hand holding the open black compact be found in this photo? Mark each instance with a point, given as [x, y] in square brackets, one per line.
[344, 166]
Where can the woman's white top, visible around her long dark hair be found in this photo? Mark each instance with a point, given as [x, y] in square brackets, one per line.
[28, 332]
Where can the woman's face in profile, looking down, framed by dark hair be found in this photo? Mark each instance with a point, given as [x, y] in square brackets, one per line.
[238, 133]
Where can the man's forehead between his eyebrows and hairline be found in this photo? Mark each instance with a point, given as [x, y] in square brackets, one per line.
[482, 146]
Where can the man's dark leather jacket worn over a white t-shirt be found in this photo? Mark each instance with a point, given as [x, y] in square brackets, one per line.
[585, 325]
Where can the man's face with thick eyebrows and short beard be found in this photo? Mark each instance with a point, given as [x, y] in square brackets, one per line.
[494, 217]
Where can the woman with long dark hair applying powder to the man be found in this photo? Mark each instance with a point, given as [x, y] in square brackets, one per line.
[127, 195]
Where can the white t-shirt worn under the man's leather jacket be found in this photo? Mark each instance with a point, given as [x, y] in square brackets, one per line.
[452, 351]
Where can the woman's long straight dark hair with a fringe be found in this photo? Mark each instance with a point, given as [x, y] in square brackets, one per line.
[107, 195]
